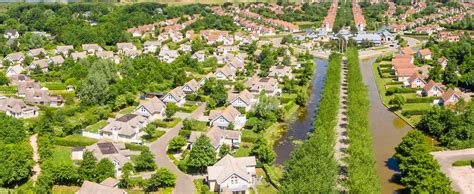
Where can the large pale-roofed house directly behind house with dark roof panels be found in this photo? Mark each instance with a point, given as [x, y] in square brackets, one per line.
[126, 128]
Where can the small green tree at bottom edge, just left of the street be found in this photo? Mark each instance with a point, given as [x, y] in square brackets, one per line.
[162, 178]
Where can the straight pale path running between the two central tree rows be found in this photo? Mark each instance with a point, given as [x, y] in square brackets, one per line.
[341, 130]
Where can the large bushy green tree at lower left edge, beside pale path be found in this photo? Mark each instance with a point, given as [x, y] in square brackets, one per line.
[16, 163]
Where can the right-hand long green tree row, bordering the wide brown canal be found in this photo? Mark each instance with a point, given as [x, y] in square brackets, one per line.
[361, 172]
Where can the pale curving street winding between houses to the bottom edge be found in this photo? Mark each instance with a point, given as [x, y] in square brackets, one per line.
[184, 182]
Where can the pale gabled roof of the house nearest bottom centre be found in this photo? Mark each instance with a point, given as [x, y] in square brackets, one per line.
[228, 166]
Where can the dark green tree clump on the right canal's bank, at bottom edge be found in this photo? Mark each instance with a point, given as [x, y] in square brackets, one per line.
[420, 173]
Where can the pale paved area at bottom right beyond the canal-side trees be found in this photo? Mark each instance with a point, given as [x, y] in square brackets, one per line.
[462, 178]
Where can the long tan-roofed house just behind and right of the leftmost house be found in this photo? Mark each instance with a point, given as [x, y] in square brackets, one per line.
[43, 97]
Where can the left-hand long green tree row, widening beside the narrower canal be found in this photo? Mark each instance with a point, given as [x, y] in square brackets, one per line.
[312, 167]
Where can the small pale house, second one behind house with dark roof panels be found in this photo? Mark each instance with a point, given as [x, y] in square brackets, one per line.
[151, 108]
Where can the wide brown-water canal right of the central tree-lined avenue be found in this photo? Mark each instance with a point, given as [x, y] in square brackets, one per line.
[387, 131]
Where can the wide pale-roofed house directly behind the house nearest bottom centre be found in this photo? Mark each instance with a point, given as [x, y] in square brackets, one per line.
[218, 137]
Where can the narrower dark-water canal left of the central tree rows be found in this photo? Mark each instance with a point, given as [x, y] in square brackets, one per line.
[302, 120]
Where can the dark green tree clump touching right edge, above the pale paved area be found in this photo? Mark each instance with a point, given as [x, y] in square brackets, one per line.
[453, 128]
